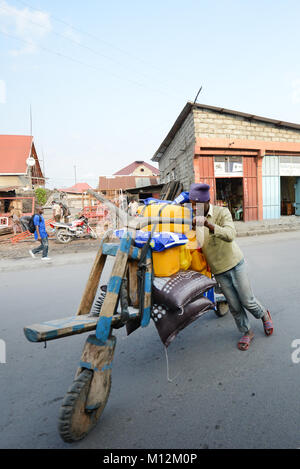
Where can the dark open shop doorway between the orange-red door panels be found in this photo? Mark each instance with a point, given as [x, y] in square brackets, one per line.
[229, 193]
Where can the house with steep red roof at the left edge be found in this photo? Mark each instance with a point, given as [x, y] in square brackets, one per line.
[19, 164]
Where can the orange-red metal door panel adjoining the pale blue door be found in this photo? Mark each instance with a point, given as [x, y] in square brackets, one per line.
[250, 189]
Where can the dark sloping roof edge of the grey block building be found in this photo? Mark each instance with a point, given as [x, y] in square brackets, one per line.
[188, 108]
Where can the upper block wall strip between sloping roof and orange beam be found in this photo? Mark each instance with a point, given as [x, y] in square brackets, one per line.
[209, 123]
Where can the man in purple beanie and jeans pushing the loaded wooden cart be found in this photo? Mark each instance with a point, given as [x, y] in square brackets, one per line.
[215, 234]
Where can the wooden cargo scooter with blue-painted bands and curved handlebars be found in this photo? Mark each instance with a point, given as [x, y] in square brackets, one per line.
[130, 285]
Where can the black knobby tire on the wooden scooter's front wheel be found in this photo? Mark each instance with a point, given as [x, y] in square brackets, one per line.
[74, 421]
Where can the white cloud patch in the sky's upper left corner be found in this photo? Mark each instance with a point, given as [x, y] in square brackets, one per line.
[28, 25]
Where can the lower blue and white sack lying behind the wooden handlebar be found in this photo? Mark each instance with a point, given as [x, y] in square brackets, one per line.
[159, 242]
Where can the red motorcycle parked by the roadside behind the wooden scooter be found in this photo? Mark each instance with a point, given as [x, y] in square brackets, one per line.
[80, 228]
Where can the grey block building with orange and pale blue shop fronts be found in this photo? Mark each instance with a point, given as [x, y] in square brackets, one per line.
[243, 157]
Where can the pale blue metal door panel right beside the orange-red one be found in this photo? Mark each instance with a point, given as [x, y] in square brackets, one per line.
[271, 187]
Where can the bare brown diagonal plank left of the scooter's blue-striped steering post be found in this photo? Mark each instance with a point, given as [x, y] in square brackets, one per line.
[93, 280]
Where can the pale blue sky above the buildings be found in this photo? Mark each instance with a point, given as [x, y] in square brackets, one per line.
[106, 80]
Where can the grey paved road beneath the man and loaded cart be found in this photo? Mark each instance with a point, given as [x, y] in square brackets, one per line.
[220, 397]
